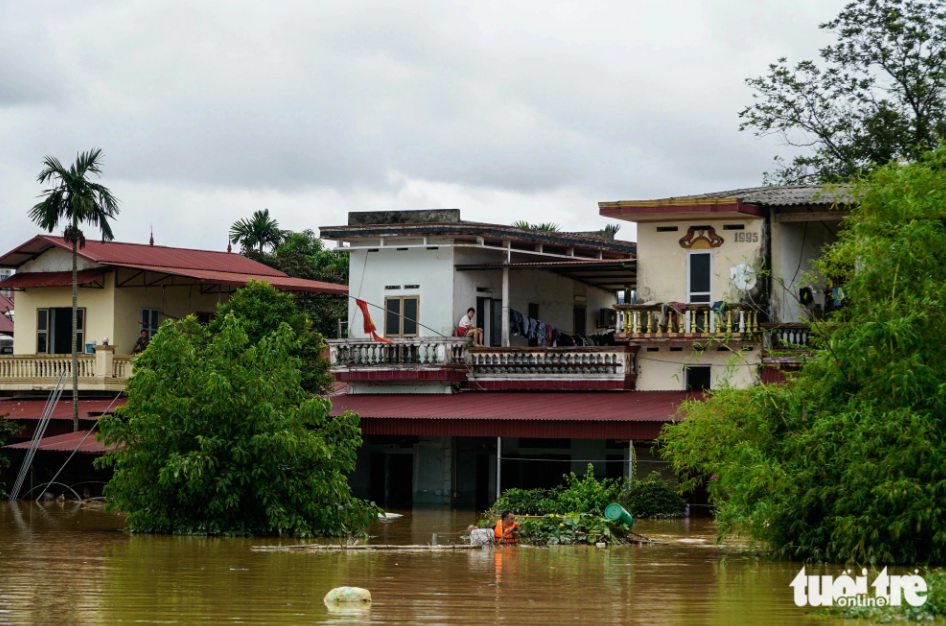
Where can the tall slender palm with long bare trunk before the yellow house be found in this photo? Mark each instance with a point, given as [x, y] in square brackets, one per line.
[75, 200]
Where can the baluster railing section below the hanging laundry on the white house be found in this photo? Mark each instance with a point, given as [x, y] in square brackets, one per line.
[593, 367]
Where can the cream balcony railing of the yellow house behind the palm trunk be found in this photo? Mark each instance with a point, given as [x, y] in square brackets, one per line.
[102, 371]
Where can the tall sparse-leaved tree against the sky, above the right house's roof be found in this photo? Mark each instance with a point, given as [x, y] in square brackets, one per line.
[878, 94]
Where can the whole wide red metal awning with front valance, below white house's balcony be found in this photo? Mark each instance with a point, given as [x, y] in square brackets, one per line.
[581, 415]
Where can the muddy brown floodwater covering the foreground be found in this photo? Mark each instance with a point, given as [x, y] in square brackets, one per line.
[71, 563]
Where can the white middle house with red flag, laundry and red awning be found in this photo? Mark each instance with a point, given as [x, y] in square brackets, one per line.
[449, 423]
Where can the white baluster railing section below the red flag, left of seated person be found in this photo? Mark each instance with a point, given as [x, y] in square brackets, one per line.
[402, 353]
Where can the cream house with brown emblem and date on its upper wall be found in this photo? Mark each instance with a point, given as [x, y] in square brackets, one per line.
[725, 283]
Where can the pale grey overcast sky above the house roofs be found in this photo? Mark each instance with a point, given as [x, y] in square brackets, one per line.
[208, 111]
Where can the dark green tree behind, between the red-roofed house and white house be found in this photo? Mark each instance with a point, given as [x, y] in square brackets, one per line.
[303, 255]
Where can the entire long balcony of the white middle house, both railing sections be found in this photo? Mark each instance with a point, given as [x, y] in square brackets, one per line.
[445, 361]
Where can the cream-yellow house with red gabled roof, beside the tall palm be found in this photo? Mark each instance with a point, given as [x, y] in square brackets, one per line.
[124, 288]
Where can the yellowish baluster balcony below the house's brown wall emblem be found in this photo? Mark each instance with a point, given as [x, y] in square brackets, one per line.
[644, 322]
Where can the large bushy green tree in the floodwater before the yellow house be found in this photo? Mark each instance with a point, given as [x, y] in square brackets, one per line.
[218, 437]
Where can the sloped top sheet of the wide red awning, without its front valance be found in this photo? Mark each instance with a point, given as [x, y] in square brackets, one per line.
[633, 406]
